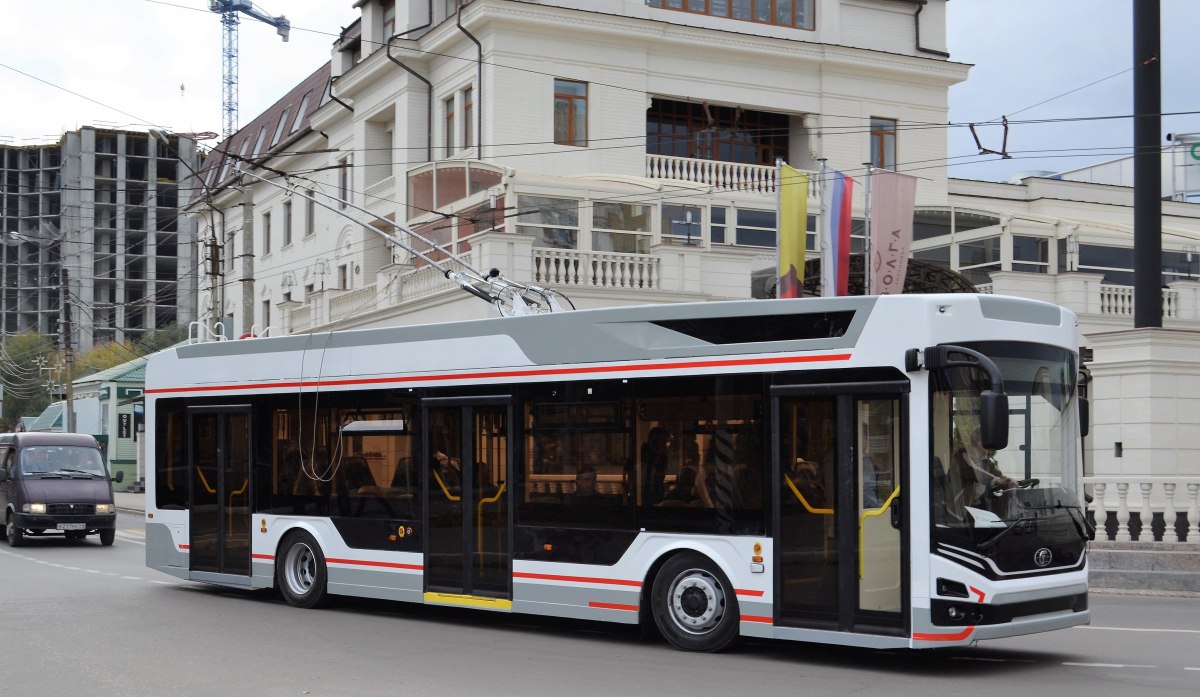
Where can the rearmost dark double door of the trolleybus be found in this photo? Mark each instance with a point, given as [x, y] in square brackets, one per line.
[219, 453]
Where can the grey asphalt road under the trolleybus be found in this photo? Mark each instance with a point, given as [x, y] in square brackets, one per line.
[83, 620]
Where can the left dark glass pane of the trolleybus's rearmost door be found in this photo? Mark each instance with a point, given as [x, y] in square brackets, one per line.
[206, 555]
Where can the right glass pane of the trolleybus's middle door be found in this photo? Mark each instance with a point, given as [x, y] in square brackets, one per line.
[491, 501]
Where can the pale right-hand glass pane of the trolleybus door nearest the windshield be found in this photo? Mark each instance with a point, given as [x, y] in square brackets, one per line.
[878, 455]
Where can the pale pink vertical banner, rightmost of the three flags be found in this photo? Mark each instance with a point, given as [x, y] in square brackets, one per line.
[893, 197]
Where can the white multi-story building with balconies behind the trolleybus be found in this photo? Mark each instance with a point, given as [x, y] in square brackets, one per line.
[623, 152]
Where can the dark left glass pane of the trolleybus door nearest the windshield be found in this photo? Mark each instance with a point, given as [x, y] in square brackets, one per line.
[808, 546]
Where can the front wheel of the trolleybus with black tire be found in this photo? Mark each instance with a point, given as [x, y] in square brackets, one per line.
[694, 605]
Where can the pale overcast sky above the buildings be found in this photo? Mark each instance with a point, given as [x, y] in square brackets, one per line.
[134, 64]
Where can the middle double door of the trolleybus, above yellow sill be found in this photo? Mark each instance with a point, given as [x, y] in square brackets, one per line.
[467, 450]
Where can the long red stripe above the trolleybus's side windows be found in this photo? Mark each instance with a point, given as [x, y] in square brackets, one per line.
[515, 374]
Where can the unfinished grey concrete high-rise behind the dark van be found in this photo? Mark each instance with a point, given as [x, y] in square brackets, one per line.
[104, 206]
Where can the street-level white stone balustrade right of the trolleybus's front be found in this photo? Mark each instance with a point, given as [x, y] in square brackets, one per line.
[1123, 507]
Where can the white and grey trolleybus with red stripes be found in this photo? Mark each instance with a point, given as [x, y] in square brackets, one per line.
[877, 472]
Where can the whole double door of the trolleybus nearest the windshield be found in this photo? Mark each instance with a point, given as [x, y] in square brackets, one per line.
[839, 525]
